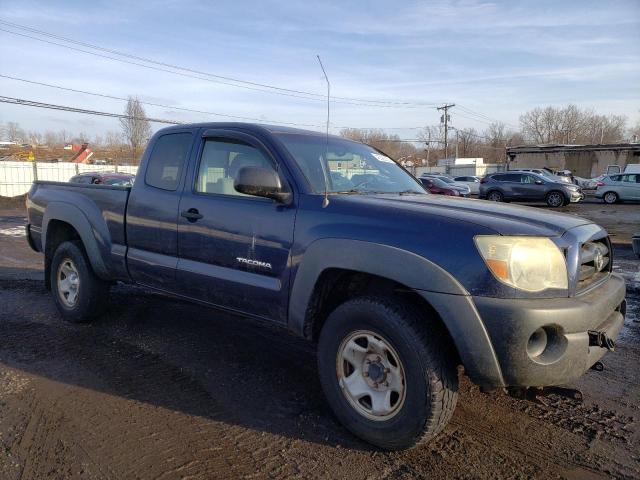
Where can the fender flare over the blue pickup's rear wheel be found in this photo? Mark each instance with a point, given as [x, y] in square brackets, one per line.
[95, 238]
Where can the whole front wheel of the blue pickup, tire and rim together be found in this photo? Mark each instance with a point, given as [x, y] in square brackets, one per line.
[389, 377]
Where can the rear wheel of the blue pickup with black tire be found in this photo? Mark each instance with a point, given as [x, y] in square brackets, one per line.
[91, 294]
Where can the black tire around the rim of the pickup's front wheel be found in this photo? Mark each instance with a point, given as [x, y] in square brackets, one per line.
[430, 371]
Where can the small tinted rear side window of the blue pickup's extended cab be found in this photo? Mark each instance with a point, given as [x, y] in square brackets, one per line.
[167, 160]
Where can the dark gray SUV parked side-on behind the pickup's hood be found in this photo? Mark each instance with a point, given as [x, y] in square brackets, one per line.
[528, 187]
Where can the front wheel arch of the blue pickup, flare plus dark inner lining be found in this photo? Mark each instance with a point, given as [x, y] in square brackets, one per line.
[333, 270]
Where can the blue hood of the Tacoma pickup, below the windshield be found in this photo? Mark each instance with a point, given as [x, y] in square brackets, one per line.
[502, 218]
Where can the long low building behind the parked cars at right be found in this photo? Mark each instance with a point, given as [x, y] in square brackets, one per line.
[586, 161]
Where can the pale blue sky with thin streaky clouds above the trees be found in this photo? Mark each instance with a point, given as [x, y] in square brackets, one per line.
[494, 59]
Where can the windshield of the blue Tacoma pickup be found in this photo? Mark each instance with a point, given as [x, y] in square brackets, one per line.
[350, 167]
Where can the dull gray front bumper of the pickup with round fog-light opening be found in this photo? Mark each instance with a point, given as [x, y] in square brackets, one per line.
[510, 324]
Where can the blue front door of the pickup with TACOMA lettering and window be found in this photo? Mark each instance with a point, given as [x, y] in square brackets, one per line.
[233, 248]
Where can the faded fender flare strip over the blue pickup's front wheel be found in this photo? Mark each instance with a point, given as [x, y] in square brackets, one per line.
[439, 288]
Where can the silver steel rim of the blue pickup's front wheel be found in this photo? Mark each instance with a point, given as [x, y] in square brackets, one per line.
[371, 375]
